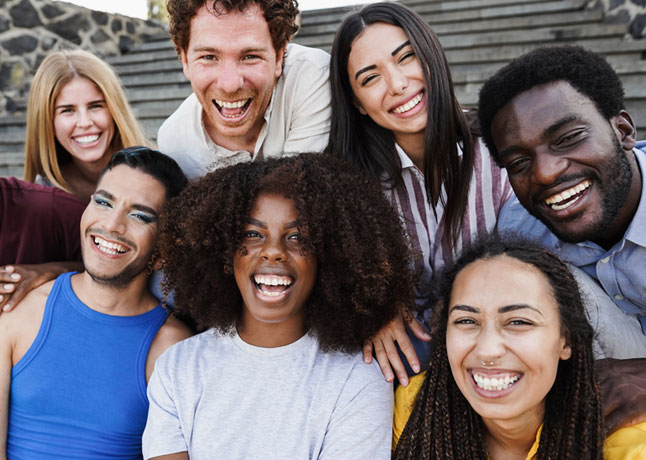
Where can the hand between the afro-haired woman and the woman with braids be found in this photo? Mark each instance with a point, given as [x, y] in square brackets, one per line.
[383, 345]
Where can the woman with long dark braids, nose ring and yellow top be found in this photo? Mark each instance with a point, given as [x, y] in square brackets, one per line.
[511, 373]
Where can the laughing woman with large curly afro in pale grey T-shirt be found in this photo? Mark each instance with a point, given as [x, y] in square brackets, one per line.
[291, 264]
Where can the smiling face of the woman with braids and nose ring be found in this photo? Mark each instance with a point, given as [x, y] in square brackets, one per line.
[503, 310]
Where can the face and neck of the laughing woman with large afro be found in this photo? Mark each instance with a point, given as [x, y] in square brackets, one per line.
[274, 274]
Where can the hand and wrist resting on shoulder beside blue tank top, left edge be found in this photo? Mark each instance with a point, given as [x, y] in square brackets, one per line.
[18, 280]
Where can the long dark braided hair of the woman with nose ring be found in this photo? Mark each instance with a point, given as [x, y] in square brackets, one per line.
[443, 424]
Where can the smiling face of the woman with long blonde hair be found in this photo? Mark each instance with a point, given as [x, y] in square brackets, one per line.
[83, 124]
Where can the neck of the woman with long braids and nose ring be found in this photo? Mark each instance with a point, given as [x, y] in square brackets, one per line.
[511, 439]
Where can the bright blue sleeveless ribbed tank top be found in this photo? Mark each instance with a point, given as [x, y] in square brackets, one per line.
[80, 390]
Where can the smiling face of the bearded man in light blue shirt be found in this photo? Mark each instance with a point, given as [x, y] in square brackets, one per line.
[570, 167]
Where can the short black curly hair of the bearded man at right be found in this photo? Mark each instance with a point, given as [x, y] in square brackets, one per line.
[587, 72]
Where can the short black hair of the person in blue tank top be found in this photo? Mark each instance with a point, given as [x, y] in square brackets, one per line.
[154, 163]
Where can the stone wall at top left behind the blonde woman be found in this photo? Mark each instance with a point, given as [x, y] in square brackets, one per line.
[29, 29]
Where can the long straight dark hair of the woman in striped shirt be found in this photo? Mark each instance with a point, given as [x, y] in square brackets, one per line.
[363, 142]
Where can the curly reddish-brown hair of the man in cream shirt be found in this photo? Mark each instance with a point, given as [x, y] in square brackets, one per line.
[279, 14]
